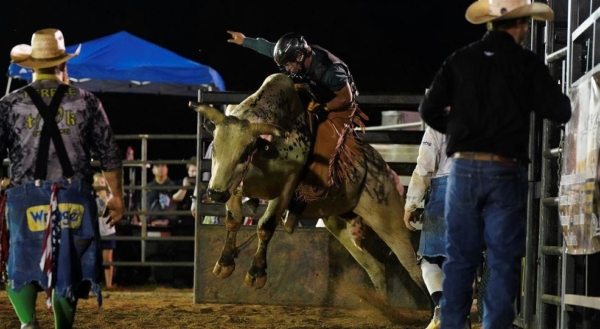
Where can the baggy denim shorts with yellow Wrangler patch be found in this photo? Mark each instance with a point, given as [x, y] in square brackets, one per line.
[27, 209]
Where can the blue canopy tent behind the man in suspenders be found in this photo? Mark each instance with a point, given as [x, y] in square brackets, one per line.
[124, 63]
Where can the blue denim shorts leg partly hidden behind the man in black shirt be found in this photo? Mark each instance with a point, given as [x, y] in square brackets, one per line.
[432, 242]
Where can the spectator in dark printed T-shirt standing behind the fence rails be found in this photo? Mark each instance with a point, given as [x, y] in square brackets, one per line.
[160, 197]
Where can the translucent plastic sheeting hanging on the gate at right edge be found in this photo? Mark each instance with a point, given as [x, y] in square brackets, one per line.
[577, 193]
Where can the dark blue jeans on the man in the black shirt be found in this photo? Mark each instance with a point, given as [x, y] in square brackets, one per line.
[500, 189]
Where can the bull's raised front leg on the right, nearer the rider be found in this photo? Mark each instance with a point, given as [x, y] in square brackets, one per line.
[257, 275]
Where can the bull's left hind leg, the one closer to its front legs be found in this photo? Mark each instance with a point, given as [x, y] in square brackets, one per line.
[375, 269]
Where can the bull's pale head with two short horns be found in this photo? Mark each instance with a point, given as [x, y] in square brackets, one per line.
[233, 147]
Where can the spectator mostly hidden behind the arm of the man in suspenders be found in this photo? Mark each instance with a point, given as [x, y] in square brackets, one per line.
[106, 231]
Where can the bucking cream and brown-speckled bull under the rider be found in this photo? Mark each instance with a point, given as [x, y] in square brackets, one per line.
[260, 148]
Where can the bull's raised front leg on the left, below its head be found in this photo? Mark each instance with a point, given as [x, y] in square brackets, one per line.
[233, 221]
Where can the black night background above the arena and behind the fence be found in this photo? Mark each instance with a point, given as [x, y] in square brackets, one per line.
[390, 46]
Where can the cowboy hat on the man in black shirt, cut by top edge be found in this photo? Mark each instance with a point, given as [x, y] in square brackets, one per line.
[484, 11]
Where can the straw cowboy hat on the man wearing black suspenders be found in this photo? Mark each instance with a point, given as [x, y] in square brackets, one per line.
[47, 50]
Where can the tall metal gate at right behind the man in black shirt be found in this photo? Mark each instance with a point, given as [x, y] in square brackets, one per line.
[560, 289]
